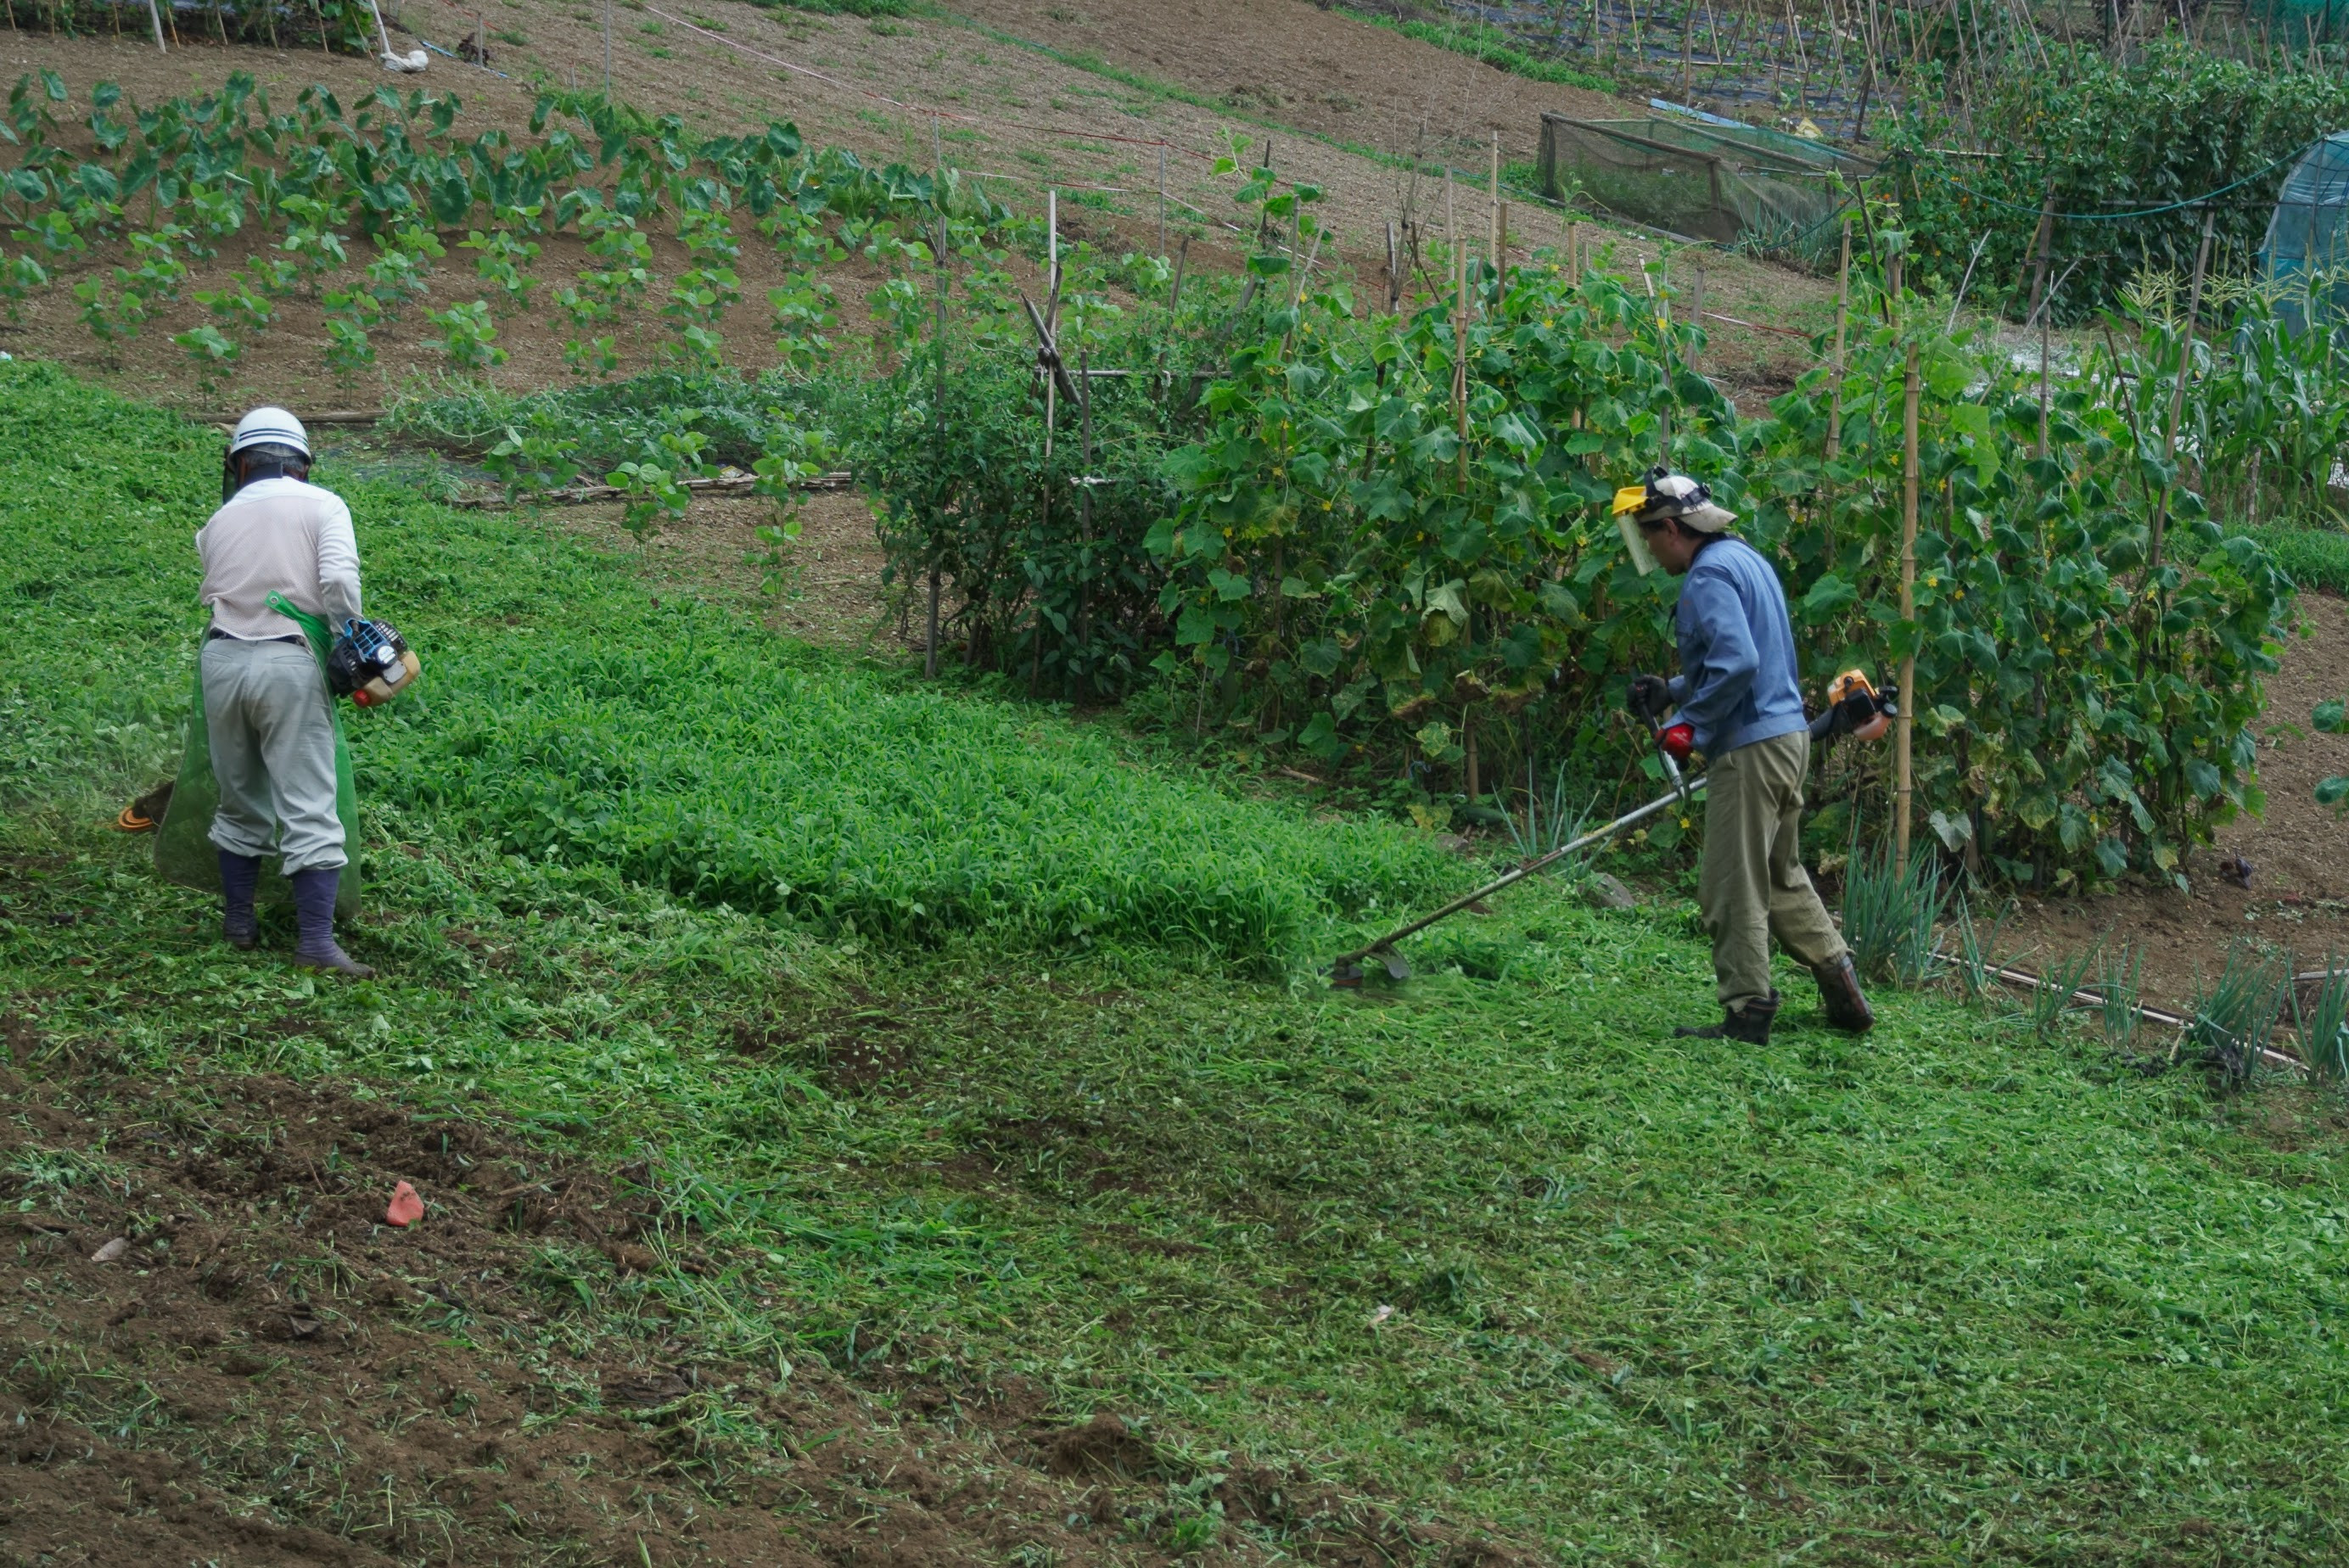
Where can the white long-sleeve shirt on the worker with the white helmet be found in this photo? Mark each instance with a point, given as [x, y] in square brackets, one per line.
[278, 536]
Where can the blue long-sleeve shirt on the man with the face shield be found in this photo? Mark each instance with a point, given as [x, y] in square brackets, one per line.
[1737, 651]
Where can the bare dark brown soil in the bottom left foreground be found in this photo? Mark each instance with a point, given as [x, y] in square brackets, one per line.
[213, 1349]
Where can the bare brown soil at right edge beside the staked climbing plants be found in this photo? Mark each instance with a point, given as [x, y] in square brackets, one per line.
[2298, 895]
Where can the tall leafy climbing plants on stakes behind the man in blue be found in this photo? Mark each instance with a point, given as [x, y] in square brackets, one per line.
[1387, 534]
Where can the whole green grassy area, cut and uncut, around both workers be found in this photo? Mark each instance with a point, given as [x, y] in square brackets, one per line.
[1488, 1248]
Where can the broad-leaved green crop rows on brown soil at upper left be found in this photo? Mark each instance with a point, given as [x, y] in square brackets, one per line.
[361, 210]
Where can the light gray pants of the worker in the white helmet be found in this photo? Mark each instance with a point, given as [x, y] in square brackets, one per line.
[271, 752]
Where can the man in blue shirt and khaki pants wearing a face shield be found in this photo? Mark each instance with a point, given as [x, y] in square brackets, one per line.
[1737, 689]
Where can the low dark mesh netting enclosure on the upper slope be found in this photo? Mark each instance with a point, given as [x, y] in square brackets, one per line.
[1707, 182]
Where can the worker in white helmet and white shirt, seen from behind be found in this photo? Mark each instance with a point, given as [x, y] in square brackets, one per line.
[276, 548]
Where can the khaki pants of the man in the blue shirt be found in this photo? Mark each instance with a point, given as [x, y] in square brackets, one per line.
[1754, 886]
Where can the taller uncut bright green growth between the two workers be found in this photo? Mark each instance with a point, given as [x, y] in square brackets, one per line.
[572, 717]
